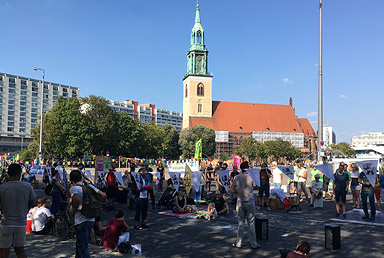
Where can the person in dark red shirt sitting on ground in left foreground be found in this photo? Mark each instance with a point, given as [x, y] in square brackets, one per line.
[117, 231]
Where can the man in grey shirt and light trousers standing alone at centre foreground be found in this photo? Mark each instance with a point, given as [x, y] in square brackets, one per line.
[245, 208]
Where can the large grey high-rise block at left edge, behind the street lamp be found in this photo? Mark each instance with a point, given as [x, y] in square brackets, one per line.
[20, 102]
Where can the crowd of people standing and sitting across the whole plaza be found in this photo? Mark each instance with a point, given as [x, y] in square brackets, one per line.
[22, 213]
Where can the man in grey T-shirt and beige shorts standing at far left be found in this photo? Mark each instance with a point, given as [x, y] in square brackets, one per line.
[16, 198]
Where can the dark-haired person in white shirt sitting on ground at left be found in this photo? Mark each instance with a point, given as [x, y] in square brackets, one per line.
[43, 219]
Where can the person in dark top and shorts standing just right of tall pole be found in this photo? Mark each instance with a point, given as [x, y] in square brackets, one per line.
[340, 189]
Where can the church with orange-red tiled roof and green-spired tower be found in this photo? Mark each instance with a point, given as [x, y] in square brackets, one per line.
[235, 121]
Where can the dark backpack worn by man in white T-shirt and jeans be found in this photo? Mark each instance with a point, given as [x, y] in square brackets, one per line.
[92, 205]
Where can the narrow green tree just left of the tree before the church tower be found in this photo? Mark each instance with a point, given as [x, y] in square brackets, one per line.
[170, 144]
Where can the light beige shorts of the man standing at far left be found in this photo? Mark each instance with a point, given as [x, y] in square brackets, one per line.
[12, 236]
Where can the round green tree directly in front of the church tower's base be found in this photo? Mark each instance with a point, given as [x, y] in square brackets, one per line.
[189, 137]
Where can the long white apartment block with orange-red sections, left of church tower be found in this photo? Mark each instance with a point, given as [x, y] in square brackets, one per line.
[148, 112]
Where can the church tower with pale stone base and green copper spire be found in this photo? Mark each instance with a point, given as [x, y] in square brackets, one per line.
[197, 83]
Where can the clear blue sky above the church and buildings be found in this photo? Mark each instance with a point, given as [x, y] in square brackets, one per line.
[261, 51]
